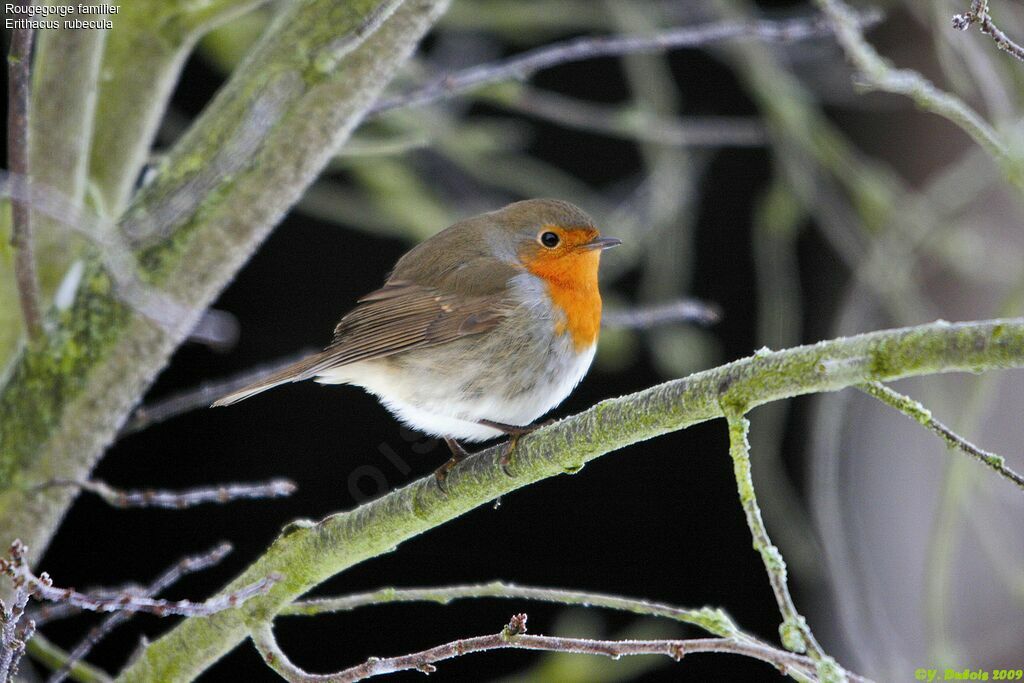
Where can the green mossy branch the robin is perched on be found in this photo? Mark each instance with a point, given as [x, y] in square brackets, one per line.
[309, 554]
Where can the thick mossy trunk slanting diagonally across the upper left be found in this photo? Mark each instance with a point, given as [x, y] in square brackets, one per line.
[226, 185]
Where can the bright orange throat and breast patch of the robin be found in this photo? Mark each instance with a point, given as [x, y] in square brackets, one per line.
[572, 284]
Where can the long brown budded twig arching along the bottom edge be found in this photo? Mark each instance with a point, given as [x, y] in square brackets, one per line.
[515, 636]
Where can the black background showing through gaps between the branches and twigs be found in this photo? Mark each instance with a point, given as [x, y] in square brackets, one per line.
[660, 520]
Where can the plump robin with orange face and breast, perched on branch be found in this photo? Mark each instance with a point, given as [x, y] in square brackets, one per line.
[479, 331]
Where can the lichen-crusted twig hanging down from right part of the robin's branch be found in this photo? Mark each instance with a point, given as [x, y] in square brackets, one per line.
[795, 631]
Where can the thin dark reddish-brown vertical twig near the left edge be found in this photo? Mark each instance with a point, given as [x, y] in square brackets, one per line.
[19, 84]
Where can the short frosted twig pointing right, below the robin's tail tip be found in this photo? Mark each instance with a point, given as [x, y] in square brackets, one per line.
[177, 500]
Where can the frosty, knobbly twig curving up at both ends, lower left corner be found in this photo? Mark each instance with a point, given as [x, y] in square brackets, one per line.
[41, 588]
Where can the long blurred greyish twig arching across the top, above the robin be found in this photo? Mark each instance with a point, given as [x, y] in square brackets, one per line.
[523, 66]
